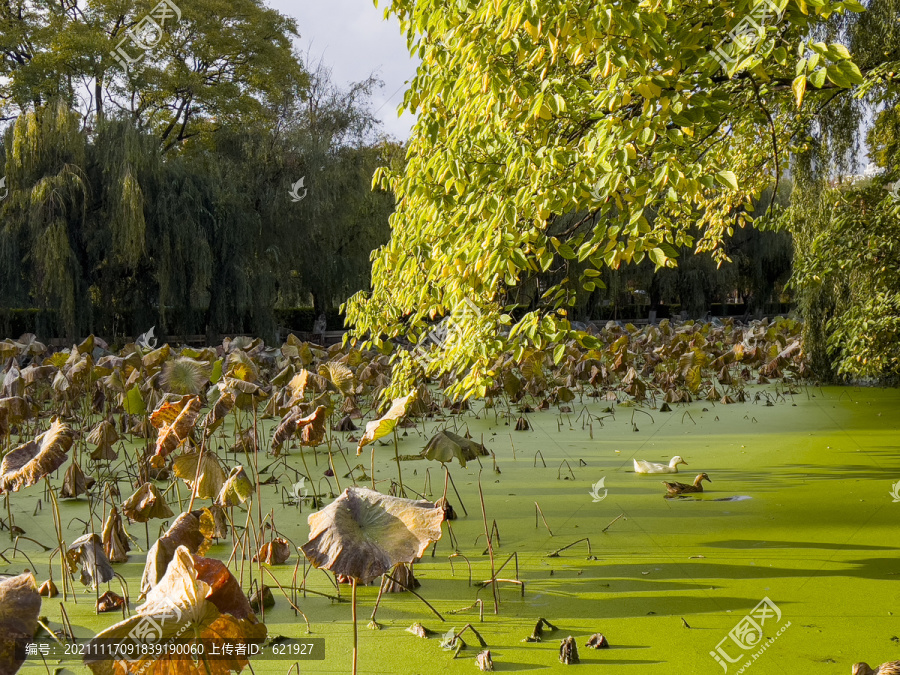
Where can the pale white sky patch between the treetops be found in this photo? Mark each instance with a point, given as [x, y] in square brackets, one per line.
[354, 40]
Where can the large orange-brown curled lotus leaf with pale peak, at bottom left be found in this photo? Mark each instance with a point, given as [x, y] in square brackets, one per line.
[196, 599]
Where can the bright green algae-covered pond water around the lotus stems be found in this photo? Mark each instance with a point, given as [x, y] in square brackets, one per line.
[795, 538]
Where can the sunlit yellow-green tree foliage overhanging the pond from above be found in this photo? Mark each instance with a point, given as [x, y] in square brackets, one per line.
[576, 134]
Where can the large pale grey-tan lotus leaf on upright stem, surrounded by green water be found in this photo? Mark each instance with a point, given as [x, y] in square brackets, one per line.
[363, 534]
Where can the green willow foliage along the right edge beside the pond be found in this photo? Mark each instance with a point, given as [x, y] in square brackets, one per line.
[846, 228]
